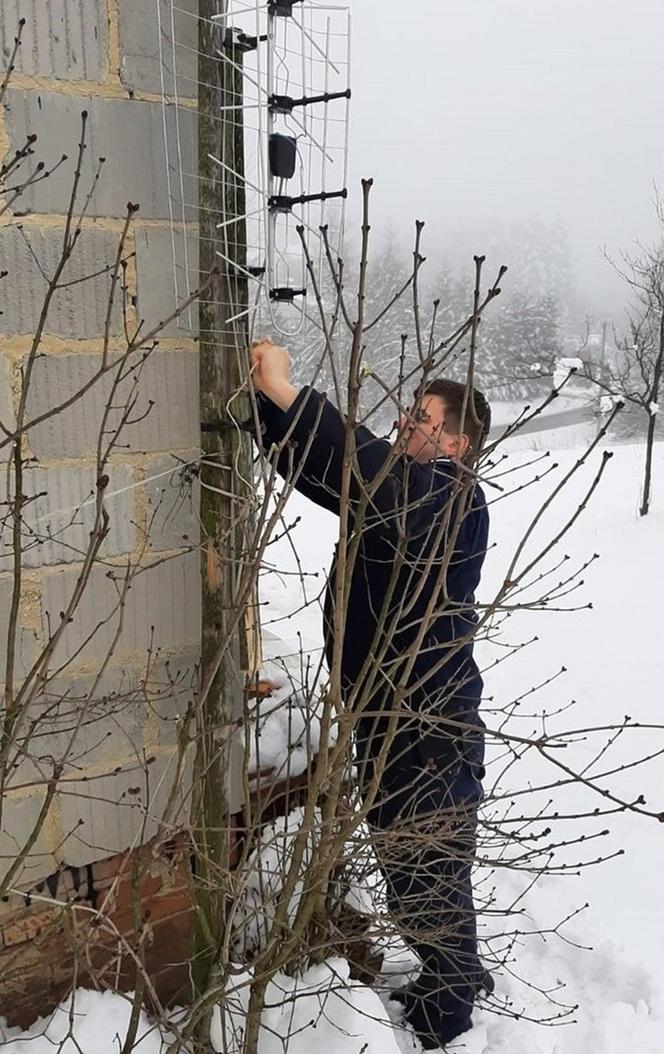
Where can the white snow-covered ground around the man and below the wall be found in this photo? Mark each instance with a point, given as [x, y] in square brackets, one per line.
[610, 959]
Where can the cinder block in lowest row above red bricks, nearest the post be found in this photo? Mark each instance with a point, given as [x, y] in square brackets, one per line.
[105, 816]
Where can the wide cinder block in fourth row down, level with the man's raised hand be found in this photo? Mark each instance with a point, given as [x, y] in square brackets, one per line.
[168, 380]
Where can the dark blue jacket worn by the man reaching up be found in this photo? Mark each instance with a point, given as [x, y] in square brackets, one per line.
[401, 529]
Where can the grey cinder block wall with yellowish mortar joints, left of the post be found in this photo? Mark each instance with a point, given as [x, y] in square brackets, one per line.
[103, 56]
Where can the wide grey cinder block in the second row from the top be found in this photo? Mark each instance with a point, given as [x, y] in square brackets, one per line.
[144, 163]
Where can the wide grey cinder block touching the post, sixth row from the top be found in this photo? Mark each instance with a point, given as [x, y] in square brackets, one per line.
[162, 610]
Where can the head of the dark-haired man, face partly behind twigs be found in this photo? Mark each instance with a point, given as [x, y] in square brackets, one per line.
[434, 426]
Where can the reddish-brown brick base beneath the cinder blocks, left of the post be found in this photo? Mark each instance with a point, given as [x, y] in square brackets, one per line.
[129, 904]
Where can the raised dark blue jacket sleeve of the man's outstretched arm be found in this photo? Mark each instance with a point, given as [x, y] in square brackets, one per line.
[318, 435]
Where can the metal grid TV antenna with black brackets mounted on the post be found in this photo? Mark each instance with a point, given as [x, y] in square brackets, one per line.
[295, 60]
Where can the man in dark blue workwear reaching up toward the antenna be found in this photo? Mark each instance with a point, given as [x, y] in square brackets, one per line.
[418, 537]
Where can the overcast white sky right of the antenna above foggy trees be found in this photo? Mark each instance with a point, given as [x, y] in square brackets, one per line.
[468, 111]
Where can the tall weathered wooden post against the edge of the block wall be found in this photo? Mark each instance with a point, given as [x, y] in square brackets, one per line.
[223, 352]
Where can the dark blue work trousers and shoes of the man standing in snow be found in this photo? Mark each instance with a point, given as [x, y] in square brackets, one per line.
[423, 826]
